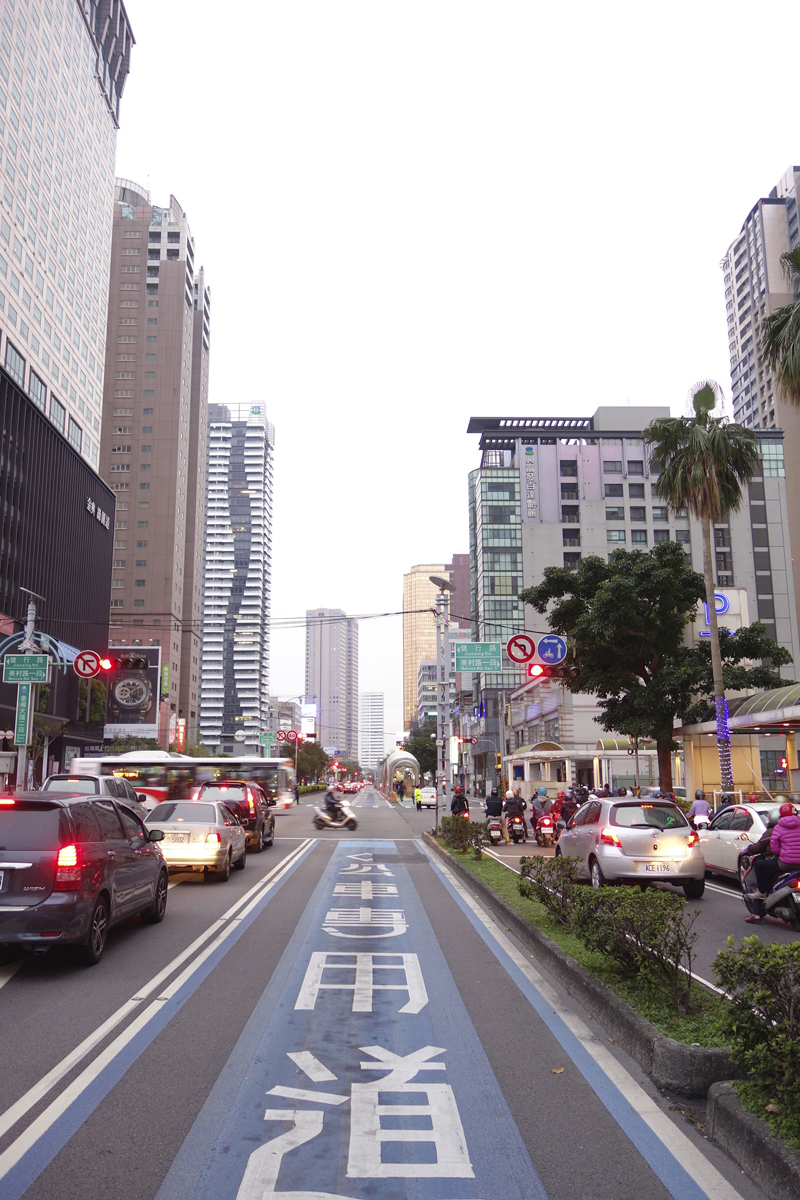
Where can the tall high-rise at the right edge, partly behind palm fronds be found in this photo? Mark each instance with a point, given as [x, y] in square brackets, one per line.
[755, 287]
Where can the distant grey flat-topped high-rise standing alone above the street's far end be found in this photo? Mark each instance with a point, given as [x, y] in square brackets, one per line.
[333, 679]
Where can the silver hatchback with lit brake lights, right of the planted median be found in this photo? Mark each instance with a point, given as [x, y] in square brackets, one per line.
[635, 842]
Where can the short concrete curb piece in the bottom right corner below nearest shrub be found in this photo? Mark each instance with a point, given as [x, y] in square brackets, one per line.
[748, 1141]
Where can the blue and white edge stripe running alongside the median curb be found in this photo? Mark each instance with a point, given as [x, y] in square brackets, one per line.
[681, 1166]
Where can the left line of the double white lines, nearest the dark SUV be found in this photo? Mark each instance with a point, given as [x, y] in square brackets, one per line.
[34, 1095]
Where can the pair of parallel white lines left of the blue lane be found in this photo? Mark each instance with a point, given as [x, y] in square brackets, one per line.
[34, 1095]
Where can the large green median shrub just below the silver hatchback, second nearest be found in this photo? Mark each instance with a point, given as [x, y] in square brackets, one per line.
[647, 934]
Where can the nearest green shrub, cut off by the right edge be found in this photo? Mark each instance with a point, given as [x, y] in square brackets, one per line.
[762, 1024]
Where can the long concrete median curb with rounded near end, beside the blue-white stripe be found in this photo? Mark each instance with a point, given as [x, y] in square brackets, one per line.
[673, 1066]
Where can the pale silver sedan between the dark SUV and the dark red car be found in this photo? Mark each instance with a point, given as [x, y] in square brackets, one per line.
[201, 837]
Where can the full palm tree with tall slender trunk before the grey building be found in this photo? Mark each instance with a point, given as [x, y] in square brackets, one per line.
[702, 463]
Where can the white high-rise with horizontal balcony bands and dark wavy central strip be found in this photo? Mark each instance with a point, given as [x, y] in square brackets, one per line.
[237, 591]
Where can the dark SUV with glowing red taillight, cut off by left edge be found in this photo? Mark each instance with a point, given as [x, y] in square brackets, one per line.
[74, 866]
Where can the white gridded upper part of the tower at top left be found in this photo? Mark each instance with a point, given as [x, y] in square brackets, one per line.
[61, 89]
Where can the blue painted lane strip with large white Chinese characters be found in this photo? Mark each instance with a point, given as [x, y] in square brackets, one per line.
[363, 1077]
